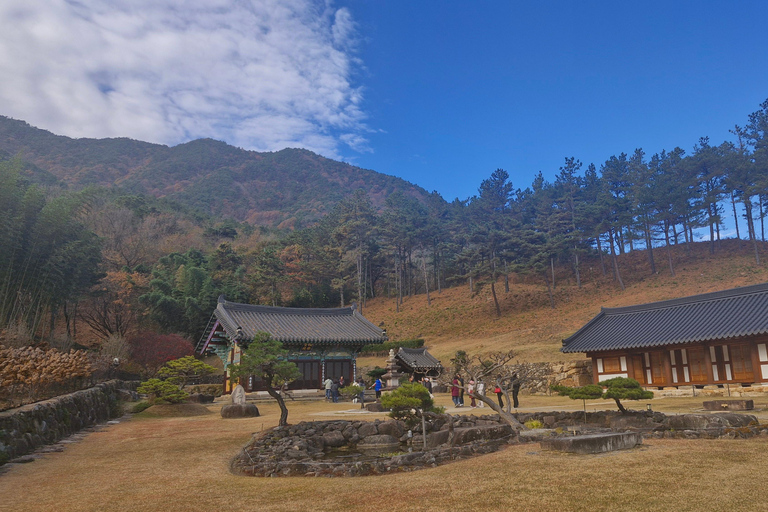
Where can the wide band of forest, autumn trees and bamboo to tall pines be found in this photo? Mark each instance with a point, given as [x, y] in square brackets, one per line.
[115, 265]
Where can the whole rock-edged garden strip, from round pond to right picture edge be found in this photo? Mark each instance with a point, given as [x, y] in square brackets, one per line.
[357, 448]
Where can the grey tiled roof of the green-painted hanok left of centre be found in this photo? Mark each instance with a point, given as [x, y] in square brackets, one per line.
[332, 326]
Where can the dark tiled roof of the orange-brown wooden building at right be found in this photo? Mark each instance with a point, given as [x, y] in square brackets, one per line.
[710, 316]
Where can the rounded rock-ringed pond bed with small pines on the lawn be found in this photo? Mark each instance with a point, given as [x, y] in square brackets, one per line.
[357, 448]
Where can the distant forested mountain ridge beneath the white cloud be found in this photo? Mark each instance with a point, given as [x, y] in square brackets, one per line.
[285, 189]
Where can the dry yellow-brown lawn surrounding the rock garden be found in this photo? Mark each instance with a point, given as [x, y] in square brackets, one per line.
[158, 461]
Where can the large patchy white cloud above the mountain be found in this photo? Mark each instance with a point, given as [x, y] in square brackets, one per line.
[259, 74]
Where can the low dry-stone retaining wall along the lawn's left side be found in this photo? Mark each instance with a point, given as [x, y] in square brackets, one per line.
[26, 428]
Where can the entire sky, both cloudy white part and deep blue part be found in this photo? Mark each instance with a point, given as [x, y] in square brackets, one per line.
[440, 93]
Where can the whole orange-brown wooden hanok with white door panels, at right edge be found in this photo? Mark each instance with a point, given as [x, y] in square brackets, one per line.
[709, 339]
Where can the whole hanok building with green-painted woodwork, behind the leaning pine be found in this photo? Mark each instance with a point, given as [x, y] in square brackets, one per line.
[322, 342]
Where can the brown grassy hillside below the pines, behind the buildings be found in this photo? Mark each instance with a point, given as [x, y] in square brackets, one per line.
[458, 320]
